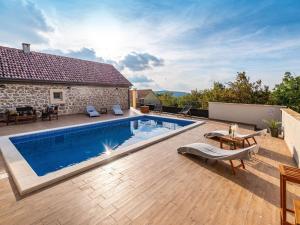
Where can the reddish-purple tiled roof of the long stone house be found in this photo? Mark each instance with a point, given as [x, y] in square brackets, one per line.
[15, 65]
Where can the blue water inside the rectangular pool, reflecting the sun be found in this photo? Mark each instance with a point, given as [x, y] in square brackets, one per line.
[49, 151]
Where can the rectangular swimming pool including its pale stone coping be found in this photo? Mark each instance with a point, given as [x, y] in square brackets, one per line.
[39, 158]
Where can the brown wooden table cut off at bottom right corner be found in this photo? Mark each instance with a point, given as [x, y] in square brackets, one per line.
[287, 174]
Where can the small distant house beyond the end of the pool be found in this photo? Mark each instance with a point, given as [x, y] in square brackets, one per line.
[144, 97]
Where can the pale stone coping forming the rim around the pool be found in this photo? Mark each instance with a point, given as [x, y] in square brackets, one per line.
[26, 180]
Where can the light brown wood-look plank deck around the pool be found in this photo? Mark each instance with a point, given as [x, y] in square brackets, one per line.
[156, 186]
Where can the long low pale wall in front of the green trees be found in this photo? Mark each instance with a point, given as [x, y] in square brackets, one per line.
[253, 114]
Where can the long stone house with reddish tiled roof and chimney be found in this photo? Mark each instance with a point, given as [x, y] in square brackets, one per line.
[38, 79]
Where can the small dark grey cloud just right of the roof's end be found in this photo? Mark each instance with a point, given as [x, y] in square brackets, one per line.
[140, 61]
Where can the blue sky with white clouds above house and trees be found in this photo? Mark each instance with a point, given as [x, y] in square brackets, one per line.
[164, 45]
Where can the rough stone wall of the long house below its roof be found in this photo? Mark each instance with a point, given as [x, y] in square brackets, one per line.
[76, 97]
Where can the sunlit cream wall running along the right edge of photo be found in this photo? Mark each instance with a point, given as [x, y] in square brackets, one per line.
[291, 126]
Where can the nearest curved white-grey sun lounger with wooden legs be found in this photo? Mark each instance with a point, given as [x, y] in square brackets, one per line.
[207, 151]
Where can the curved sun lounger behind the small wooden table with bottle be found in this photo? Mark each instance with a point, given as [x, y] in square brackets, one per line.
[246, 137]
